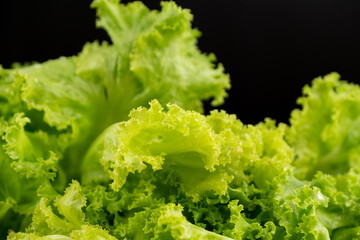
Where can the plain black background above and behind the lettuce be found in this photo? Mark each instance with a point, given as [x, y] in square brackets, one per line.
[271, 49]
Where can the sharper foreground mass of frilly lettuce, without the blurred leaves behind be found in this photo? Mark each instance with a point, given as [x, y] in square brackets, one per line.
[169, 173]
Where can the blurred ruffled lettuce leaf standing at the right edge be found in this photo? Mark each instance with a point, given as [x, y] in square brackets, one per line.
[325, 134]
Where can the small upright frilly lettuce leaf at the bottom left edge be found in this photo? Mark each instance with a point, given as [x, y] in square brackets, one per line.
[62, 218]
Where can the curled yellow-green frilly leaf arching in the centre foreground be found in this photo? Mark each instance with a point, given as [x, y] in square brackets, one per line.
[179, 142]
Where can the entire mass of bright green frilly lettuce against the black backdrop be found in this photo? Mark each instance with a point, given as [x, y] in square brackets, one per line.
[112, 144]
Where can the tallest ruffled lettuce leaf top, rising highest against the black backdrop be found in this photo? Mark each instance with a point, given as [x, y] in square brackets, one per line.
[163, 53]
